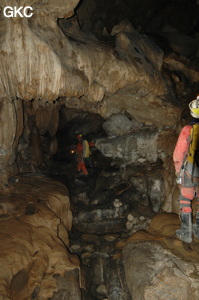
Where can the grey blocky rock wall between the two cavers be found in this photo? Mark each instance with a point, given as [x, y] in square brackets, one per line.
[143, 152]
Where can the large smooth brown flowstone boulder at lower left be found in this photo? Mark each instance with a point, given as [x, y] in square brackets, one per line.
[35, 218]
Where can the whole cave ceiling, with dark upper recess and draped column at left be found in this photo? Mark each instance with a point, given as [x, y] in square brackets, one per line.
[138, 58]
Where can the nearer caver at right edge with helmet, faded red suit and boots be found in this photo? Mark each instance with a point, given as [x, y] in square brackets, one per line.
[188, 178]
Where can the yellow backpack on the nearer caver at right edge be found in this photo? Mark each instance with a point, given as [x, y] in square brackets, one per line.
[193, 154]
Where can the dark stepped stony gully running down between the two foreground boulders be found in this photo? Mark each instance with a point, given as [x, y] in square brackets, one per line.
[105, 209]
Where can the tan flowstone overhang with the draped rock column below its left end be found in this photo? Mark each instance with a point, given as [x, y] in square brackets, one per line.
[40, 61]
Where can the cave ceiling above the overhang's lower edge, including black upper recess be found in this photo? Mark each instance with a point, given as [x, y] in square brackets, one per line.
[90, 56]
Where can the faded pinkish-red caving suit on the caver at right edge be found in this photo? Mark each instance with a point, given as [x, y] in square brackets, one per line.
[188, 189]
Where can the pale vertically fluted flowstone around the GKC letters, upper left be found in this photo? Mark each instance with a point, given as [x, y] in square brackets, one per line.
[35, 70]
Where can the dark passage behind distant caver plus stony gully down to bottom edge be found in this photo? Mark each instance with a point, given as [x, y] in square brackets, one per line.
[106, 208]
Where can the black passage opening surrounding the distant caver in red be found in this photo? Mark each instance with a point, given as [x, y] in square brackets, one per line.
[100, 186]
